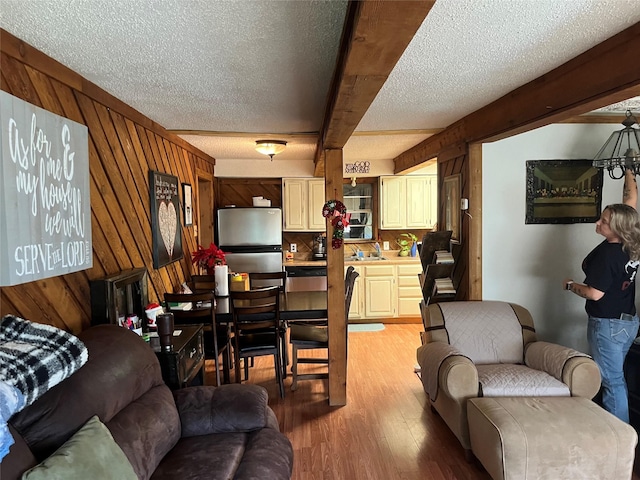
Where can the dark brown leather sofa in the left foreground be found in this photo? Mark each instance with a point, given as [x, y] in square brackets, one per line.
[194, 433]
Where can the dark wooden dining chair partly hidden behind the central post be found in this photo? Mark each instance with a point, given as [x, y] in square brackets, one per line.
[315, 336]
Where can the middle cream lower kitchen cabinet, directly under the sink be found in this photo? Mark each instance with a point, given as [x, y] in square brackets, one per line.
[380, 291]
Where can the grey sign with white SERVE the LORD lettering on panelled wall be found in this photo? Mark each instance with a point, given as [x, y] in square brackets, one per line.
[45, 209]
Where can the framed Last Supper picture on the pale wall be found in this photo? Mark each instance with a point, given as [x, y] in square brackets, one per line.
[563, 191]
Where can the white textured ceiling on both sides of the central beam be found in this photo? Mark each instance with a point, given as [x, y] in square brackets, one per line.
[246, 70]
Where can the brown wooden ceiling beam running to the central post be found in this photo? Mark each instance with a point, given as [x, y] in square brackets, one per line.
[375, 36]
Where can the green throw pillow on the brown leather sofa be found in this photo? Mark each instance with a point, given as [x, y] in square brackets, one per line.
[90, 453]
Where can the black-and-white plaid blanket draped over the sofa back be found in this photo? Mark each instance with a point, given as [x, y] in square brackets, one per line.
[34, 357]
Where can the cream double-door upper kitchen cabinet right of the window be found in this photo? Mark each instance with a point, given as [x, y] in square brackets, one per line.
[408, 202]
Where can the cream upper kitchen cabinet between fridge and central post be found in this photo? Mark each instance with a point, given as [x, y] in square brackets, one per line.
[302, 202]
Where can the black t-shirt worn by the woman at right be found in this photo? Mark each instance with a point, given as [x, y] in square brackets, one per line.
[608, 269]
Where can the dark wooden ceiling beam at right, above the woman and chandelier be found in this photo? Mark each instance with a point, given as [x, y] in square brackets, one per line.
[605, 74]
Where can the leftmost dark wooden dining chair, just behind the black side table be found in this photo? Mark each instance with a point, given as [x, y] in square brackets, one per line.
[199, 307]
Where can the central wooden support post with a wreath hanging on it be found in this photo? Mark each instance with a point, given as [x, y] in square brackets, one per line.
[335, 289]
